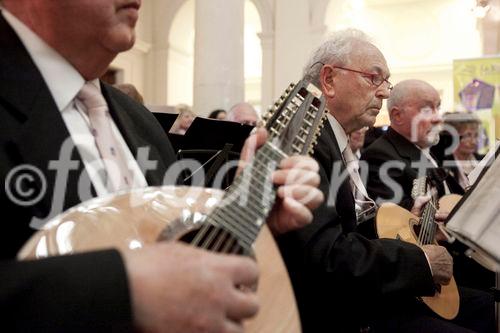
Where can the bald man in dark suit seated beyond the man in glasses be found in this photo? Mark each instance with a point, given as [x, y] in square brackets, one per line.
[415, 125]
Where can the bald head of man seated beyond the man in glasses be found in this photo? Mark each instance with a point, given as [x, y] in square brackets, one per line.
[414, 111]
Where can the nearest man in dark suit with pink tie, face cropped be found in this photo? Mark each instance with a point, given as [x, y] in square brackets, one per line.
[52, 147]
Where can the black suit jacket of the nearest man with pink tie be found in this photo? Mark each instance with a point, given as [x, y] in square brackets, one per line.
[86, 292]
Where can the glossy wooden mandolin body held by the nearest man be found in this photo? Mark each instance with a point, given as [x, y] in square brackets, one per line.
[128, 221]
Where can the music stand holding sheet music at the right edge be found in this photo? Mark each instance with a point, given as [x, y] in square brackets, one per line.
[475, 221]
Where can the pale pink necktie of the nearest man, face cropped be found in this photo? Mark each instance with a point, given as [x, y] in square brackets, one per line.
[119, 176]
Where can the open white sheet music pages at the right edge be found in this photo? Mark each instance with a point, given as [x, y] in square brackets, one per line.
[477, 220]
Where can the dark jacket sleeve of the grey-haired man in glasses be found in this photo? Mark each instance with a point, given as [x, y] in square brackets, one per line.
[367, 267]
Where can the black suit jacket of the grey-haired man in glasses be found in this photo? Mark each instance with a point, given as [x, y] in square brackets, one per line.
[339, 276]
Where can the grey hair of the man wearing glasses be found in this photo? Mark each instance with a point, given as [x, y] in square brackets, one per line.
[335, 50]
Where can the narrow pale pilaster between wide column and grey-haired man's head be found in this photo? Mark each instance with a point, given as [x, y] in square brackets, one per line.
[267, 81]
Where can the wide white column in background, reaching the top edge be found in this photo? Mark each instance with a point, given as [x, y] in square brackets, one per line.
[218, 63]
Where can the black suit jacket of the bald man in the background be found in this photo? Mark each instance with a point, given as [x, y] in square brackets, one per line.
[394, 148]
